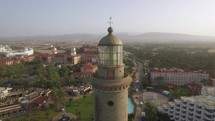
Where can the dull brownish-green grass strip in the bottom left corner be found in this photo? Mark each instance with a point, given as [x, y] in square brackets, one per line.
[39, 115]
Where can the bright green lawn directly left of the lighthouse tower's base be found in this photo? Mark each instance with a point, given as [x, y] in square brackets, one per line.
[84, 105]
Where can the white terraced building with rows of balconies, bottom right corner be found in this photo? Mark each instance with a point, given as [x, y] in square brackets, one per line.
[198, 108]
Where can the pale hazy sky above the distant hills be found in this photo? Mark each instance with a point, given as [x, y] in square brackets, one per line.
[57, 17]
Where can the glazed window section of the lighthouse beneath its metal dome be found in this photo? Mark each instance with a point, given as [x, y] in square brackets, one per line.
[110, 55]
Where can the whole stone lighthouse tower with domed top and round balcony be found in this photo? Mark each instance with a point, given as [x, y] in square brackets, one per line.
[110, 83]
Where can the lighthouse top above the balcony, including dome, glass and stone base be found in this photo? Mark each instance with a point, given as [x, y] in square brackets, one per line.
[110, 57]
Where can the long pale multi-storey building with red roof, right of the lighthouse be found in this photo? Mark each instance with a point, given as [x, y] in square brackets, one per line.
[178, 78]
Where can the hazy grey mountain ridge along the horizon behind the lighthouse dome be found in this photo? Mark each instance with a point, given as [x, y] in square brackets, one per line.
[144, 37]
